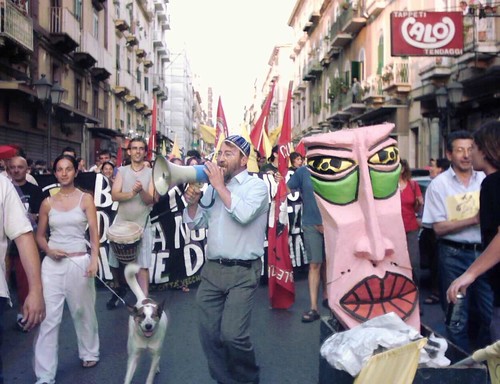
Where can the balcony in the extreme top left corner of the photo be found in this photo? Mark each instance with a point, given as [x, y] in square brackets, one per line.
[15, 27]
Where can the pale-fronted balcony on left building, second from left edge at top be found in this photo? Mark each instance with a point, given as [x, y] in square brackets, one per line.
[64, 29]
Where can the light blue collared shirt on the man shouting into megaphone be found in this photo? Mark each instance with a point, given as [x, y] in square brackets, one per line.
[238, 232]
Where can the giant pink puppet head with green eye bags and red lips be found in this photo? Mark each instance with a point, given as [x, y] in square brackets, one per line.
[355, 176]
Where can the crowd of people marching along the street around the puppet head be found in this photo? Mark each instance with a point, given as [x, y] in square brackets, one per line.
[455, 225]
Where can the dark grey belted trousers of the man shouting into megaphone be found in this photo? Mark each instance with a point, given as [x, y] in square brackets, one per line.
[225, 300]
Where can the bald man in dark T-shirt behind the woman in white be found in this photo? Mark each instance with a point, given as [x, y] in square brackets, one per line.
[31, 197]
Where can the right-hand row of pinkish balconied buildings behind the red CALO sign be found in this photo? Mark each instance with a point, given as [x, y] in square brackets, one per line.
[345, 75]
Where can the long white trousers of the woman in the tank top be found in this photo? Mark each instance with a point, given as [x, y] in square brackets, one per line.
[65, 280]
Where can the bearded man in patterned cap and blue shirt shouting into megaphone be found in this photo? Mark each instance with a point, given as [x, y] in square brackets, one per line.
[234, 209]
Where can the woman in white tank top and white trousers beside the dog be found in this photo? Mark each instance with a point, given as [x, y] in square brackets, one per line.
[68, 270]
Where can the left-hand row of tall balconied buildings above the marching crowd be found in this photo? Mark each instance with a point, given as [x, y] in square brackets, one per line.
[108, 56]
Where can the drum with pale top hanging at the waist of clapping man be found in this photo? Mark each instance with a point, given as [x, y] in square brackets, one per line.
[125, 239]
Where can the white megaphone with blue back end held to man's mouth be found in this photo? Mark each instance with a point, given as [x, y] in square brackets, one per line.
[167, 175]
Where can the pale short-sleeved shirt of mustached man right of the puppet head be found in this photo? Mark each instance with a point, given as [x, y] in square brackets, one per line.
[440, 196]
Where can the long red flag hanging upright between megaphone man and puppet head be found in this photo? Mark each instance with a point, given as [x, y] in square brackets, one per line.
[280, 272]
